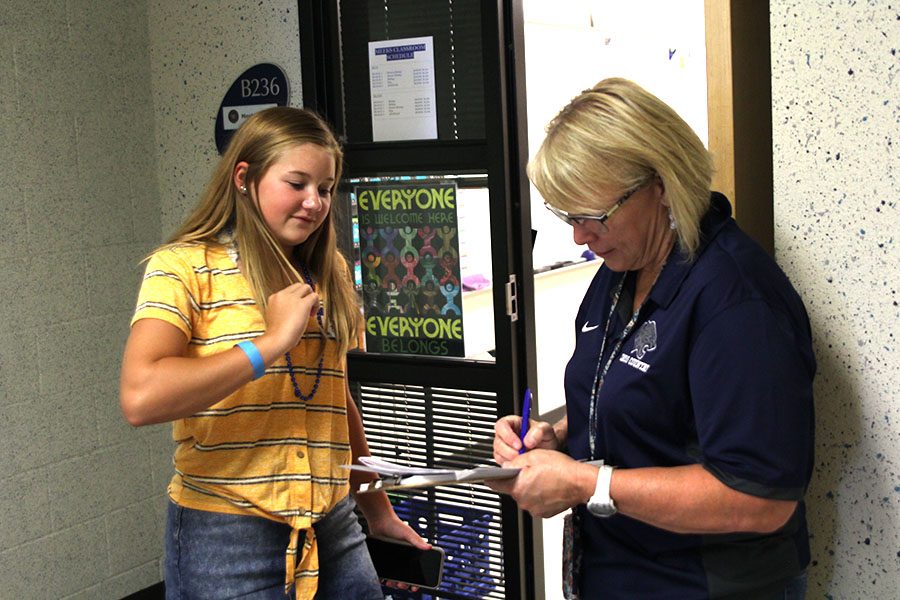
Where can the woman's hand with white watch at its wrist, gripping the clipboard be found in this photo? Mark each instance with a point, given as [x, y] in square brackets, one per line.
[549, 482]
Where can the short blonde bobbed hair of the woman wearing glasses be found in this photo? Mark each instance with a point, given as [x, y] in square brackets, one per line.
[614, 137]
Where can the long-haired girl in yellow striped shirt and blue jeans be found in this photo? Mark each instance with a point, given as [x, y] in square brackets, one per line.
[239, 339]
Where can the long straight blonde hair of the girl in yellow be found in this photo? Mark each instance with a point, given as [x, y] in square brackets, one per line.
[260, 141]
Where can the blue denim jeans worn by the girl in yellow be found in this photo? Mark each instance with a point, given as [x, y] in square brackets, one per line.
[219, 556]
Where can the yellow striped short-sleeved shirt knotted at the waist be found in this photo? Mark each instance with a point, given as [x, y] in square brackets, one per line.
[260, 451]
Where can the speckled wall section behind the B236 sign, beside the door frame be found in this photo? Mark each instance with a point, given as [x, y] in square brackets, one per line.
[198, 49]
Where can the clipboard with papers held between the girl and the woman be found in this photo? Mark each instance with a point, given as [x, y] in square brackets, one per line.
[395, 476]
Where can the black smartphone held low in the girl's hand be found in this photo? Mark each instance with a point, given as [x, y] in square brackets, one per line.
[403, 562]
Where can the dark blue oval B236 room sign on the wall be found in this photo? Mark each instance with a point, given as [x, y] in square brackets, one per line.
[260, 87]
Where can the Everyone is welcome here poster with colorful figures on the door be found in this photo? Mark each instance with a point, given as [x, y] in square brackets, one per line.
[409, 249]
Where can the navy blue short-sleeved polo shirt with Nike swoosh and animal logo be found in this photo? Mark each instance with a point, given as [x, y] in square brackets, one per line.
[717, 371]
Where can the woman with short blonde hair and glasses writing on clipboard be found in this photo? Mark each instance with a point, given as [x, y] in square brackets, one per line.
[691, 376]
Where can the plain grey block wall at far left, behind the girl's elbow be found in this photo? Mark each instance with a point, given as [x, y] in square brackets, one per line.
[79, 207]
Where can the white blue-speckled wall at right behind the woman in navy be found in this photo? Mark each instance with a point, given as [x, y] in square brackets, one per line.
[836, 125]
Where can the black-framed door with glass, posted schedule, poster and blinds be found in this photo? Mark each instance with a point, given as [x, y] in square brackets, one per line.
[434, 211]
